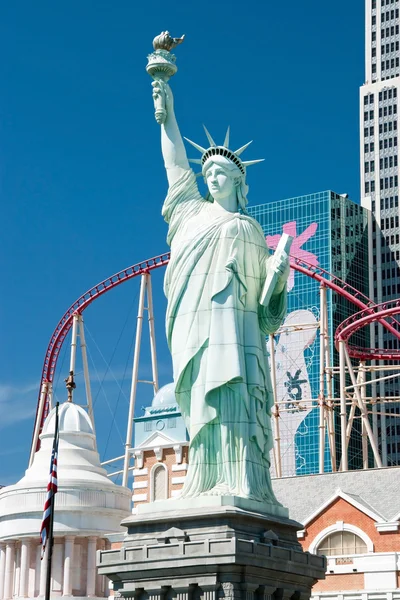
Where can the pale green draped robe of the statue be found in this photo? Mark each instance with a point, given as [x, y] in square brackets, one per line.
[216, 334]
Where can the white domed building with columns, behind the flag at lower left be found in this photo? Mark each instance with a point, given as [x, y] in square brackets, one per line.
[87, 507]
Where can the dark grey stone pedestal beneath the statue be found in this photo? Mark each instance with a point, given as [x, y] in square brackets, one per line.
[219, 551]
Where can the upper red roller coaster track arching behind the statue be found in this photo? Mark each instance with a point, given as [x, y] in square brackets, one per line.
[353, 295]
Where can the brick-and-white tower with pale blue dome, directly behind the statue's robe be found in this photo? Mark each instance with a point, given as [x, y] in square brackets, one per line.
[161, 449]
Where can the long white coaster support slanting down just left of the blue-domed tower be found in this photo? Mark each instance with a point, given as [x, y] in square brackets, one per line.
[135, 370]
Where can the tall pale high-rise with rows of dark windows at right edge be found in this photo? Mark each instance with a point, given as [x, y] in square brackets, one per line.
[380, 188]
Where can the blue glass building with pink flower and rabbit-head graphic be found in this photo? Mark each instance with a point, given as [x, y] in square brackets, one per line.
[330, 231]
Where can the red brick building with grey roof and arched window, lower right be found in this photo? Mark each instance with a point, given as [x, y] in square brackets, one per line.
[353, 518]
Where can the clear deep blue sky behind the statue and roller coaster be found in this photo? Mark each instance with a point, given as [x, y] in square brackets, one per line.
[82, 179]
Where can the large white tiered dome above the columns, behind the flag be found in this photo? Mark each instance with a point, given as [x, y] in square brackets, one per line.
[87, 503]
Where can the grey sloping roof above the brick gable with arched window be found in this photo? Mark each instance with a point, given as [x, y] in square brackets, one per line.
[375, 491]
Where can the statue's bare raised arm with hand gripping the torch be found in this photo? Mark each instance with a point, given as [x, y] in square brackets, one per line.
[173, 149]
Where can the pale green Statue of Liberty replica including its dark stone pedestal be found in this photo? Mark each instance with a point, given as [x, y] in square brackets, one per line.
[226, 537]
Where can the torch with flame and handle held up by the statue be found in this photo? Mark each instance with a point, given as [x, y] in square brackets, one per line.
[161, 66]
